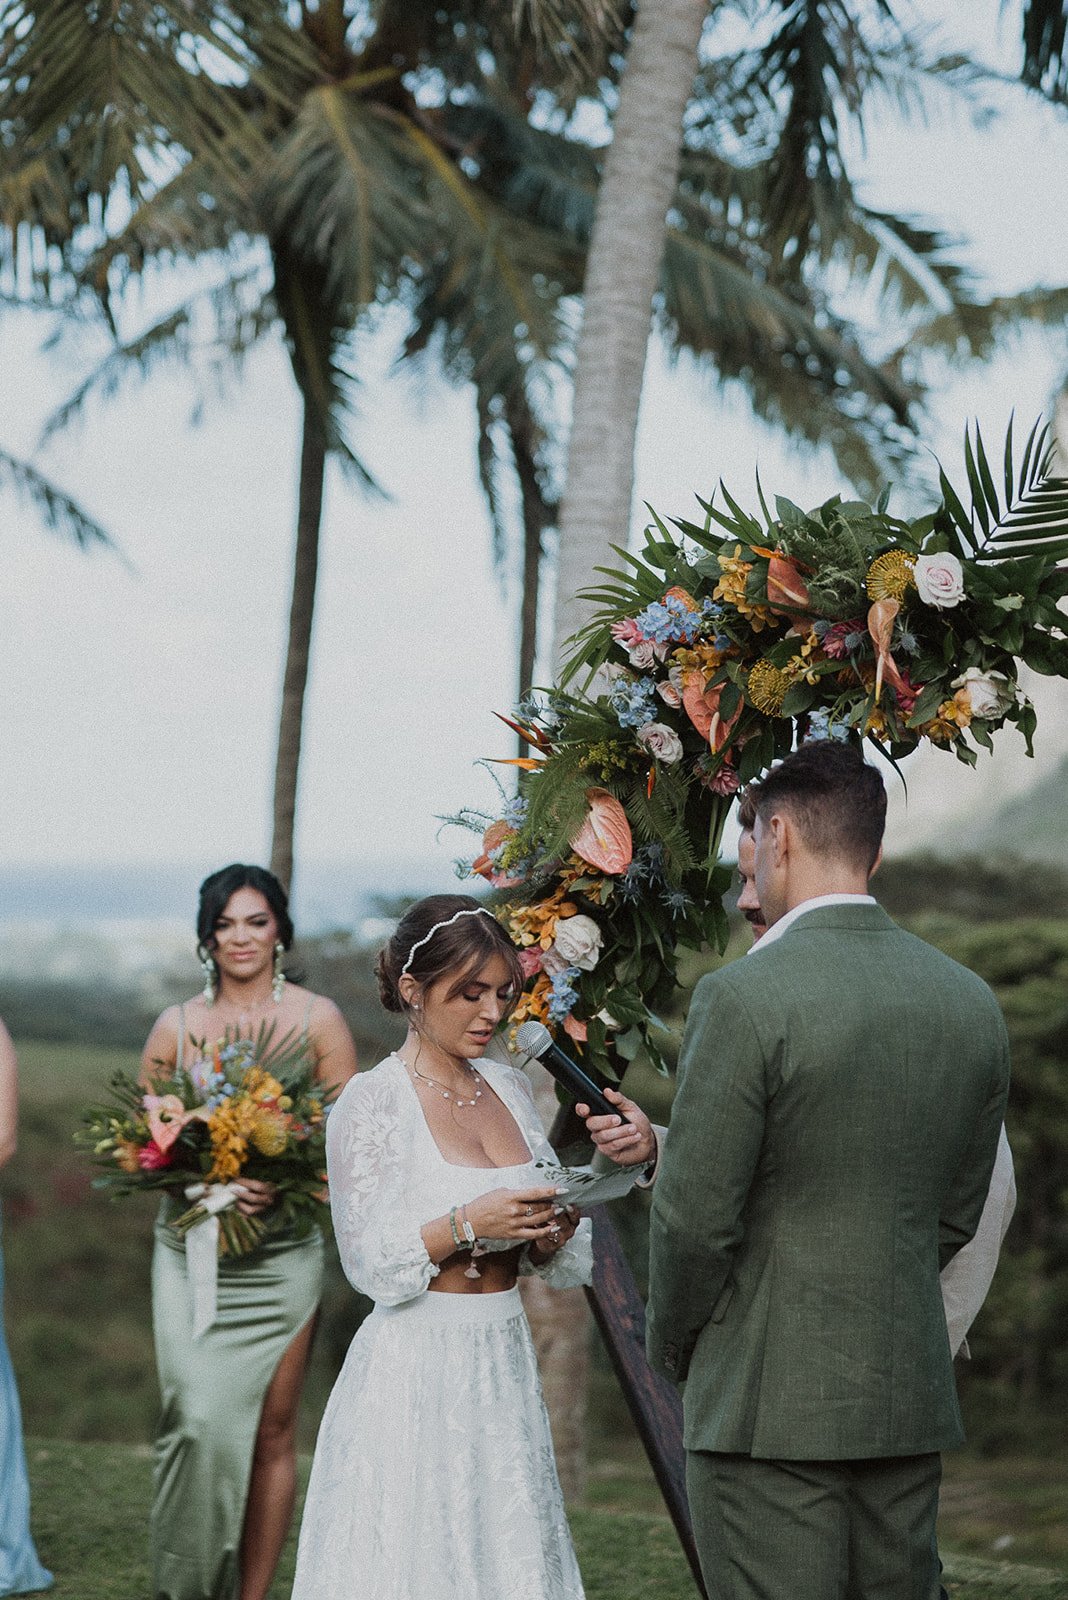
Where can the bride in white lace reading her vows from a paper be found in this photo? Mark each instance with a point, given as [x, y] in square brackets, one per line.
[434, 1474]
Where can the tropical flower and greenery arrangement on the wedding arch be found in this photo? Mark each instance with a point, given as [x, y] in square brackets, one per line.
[712, 654]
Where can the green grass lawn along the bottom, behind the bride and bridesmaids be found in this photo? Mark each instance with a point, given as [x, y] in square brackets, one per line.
[92, 1508]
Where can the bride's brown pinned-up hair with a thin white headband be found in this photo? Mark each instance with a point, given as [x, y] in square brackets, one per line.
[458, 950]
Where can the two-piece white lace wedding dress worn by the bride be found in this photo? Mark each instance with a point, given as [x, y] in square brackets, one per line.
[434, 1474]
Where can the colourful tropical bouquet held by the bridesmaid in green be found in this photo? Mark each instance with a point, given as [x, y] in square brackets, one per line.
[247, 1108]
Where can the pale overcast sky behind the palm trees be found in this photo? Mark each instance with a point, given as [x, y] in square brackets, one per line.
[138, 697]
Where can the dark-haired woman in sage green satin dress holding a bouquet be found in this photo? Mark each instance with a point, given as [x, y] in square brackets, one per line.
[226, 1452]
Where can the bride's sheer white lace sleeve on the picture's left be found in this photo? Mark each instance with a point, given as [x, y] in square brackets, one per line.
[378, 1241]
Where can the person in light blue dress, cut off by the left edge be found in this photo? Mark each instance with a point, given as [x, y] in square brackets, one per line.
[20, 1570]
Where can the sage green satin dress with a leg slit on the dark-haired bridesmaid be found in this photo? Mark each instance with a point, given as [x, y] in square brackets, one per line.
[213, 1394]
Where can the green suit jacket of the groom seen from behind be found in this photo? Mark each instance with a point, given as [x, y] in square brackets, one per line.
[840, 1098]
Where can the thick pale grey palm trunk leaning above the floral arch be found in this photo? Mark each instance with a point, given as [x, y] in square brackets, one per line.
[623, 270]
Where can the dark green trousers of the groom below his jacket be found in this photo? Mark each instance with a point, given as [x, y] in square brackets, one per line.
[816, 1530]
